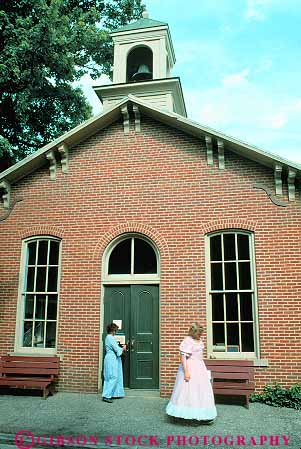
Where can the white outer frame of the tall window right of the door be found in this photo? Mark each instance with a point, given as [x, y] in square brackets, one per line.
[210, 350]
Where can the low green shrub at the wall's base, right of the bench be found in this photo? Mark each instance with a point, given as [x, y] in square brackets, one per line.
[277, 396]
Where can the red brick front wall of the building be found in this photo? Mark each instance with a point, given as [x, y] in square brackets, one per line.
[156, 182]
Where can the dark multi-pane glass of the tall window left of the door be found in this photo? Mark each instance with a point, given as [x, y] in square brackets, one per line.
[39, 294]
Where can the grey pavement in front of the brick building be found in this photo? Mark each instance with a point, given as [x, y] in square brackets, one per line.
[83, 420]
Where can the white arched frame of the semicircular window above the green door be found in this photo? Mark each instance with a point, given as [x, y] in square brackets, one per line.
[129, 278]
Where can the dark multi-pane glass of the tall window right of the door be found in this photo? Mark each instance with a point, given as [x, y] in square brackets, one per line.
[232, 319]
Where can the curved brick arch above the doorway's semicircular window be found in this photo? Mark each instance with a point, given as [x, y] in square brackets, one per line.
[131, 228]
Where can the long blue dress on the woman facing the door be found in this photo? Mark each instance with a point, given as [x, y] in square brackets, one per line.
[113, 378]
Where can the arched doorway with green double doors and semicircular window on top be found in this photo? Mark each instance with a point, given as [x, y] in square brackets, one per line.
[131, 299]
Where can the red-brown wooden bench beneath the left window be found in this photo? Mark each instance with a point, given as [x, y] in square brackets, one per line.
[29, 372]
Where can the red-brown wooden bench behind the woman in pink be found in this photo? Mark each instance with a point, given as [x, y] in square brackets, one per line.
[232, 377]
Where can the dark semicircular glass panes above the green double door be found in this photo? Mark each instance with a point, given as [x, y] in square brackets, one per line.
[133, 256]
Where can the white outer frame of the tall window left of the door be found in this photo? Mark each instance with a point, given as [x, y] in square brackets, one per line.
[19, 348]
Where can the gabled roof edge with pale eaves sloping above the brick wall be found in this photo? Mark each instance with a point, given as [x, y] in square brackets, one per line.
[100, 121]
